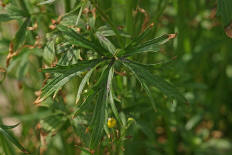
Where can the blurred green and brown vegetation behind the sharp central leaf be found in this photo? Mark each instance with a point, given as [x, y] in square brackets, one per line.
[201, 67]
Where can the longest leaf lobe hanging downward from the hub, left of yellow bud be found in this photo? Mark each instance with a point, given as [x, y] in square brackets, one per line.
[99, 117]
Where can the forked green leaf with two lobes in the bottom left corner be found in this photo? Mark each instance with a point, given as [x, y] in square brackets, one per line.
[4, 131]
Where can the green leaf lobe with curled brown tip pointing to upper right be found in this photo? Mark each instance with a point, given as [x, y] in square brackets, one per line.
[152, 45]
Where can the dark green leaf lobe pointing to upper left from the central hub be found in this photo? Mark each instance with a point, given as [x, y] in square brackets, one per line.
[77, 39]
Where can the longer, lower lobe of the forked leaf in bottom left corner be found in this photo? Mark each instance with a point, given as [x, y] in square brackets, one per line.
[12, 139]
